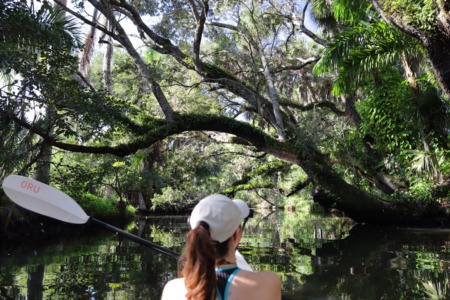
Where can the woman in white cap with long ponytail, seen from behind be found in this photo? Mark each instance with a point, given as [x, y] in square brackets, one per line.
[210, 268]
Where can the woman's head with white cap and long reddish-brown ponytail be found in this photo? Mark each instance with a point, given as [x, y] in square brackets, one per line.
[214, 221]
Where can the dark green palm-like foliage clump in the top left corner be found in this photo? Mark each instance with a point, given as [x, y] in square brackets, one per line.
[41, 33]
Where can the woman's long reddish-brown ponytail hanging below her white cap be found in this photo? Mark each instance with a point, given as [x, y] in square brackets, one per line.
[199, 263]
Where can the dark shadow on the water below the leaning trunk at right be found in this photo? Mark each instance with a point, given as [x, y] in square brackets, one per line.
[380, 263]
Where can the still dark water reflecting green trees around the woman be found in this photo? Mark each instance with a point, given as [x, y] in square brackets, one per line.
[317, 258]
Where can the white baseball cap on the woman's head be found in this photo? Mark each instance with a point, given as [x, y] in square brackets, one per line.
[222, 214]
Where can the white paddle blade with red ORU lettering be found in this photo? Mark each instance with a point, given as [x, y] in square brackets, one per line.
[43, 199]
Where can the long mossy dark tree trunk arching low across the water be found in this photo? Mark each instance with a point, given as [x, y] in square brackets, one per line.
[329, 189]
